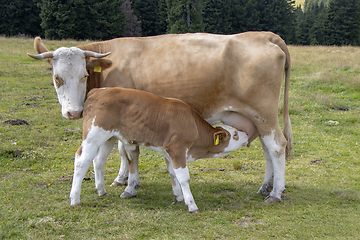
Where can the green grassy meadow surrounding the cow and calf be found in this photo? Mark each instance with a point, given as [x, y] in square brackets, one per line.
[322, 178]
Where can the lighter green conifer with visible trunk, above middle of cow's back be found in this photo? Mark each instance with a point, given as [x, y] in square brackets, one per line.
[185, 16]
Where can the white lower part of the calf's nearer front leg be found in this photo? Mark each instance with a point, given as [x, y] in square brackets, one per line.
[183, 176]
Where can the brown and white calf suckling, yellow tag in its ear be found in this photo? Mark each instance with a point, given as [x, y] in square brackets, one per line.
[139, 118]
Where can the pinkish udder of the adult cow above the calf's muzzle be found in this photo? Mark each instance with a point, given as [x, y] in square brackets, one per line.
[241, 123]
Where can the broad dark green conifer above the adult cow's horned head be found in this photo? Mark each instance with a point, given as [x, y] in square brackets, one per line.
[82, 19]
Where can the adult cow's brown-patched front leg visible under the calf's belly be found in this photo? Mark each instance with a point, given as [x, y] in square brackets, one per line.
[133, 181]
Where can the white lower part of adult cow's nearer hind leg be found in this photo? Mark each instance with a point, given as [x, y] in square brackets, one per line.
[277, 155]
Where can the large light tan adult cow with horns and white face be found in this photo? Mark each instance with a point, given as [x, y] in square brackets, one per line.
[231, 79]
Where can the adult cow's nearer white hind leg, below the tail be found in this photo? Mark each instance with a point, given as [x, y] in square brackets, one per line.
[275, 144]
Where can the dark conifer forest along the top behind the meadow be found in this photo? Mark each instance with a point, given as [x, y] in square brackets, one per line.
[316, 22]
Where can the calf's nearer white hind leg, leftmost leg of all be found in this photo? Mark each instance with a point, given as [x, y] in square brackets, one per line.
[83, 157]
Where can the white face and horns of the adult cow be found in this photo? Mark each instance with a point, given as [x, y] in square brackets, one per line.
[69, 77]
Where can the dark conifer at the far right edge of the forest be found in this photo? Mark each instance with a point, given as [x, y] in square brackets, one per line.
[343, 22]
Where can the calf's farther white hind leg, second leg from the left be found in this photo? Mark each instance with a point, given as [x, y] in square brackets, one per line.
[99, 165]
